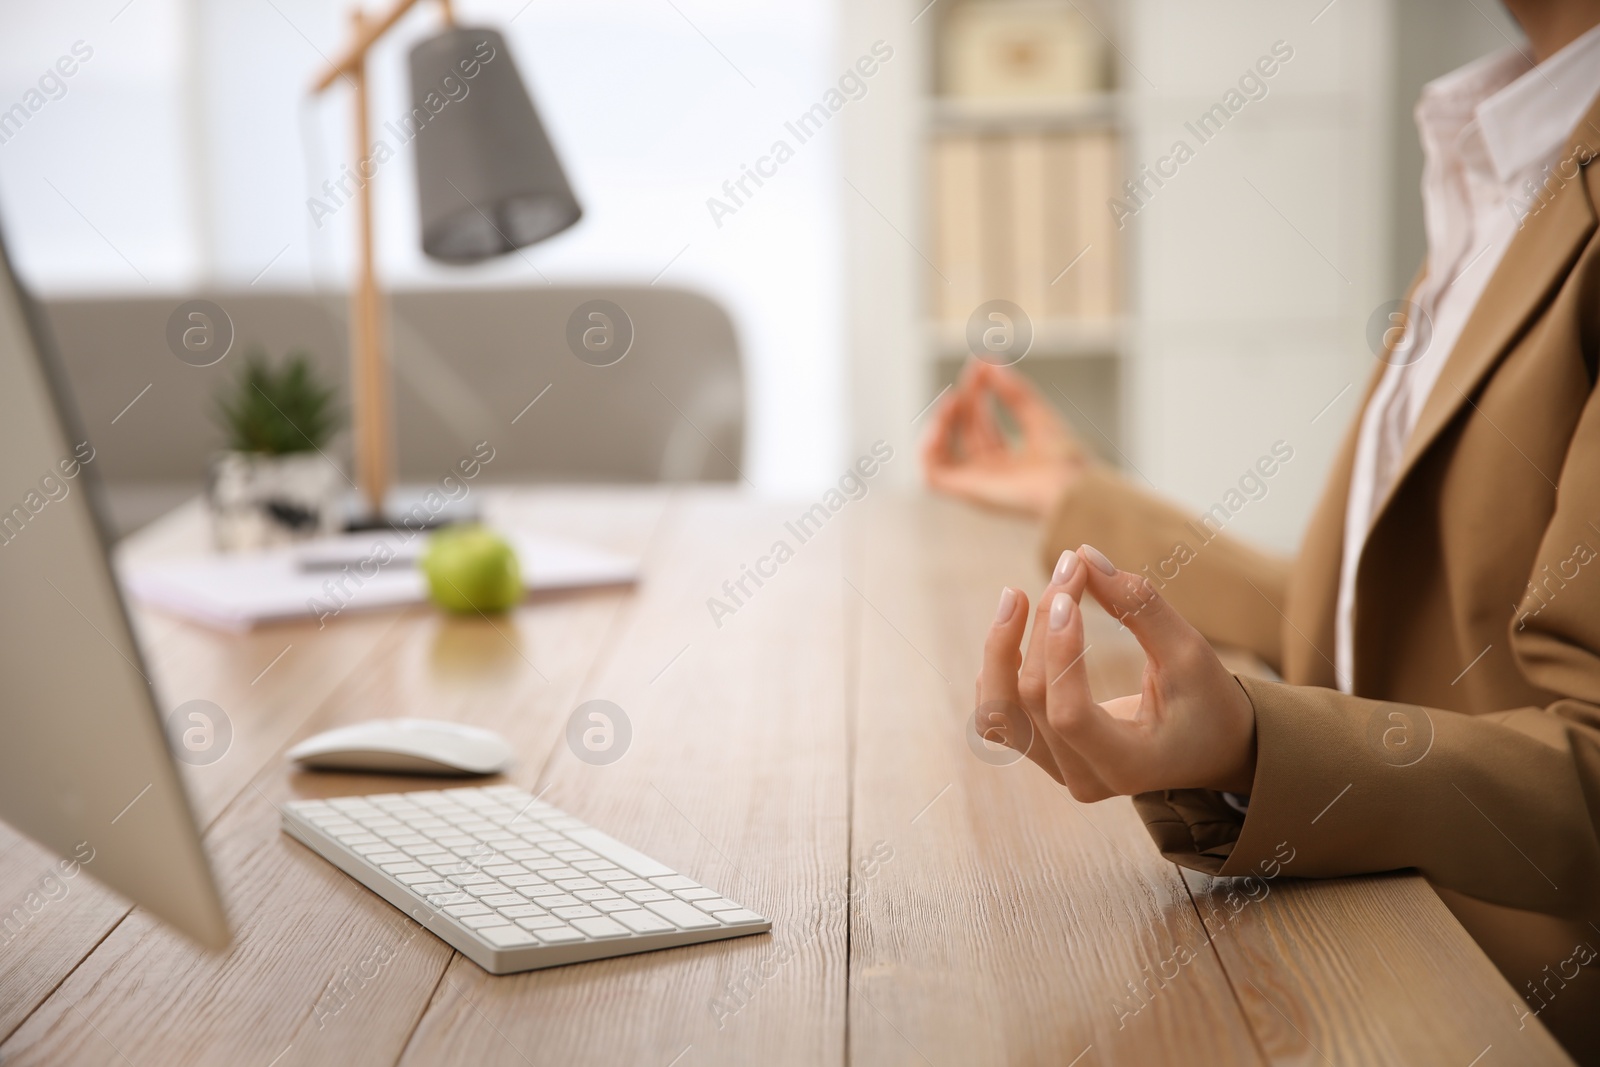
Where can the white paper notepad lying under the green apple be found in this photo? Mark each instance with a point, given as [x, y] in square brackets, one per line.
[343, 575]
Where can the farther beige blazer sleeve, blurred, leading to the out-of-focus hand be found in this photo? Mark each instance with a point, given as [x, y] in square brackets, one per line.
[1228, 591]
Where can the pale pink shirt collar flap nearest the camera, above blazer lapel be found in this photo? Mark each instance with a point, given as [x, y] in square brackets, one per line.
[1530, 119]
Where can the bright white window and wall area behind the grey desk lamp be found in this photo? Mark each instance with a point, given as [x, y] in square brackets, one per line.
[188, 143]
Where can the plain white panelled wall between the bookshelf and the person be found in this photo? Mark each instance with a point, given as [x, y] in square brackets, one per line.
[1258, 265]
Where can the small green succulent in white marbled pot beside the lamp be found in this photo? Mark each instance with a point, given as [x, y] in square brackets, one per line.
[276, 484]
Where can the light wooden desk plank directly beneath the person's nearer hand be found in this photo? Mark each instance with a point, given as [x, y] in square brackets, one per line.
[1014, 925]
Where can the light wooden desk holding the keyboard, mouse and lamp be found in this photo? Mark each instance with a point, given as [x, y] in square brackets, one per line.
[818, 732]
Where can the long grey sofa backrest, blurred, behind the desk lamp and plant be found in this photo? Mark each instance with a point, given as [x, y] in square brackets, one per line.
[466, 366]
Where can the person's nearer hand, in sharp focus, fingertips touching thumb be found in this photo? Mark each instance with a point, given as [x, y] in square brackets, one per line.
[1190, 727]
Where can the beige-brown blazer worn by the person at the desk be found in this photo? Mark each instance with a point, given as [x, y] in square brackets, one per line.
[1473, 748]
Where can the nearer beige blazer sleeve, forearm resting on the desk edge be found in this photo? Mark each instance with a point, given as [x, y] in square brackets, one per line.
[1500, 807]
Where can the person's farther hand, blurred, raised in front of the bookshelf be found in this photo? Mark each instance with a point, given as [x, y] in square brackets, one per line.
[967, 454]
